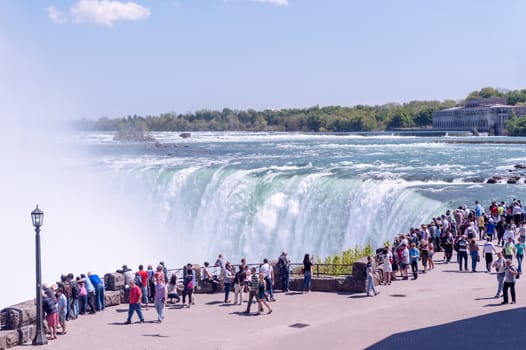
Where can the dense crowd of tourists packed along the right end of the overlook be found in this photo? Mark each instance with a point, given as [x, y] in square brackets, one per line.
[460, 231]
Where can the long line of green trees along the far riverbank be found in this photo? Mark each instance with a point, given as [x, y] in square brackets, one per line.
[392, 116]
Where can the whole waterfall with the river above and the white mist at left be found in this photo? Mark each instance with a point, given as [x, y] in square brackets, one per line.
[249, 195]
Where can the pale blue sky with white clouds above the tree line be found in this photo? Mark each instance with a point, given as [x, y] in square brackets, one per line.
[71, 59]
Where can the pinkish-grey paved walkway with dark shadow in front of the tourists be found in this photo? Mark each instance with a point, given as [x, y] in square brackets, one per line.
[443, 308]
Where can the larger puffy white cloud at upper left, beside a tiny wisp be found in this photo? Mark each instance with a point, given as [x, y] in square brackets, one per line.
[105, 12]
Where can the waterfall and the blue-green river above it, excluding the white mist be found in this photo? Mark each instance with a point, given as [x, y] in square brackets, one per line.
[256, 194]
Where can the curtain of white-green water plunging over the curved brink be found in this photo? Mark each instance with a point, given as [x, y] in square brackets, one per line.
[257, 213]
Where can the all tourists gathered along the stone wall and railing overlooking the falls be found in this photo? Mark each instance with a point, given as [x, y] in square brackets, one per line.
[410, 254]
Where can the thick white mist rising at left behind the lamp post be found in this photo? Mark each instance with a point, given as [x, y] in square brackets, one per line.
[87, 226]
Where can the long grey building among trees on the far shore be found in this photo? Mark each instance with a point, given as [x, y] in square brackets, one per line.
[483, 114]
